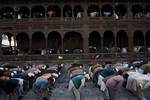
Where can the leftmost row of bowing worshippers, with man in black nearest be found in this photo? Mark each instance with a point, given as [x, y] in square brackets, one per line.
[15, 81]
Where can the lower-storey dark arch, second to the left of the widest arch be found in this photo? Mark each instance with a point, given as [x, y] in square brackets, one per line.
[38, 42]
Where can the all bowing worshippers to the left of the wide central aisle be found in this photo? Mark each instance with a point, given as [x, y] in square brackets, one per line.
[16, 81]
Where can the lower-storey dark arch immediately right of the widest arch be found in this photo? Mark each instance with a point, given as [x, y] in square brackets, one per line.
[94, 42]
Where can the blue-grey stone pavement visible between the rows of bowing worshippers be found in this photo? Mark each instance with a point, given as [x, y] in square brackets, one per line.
[89, 92]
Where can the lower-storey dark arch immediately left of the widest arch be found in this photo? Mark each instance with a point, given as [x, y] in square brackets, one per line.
[54, 42]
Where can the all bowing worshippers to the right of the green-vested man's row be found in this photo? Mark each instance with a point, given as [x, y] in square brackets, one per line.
[130, 75]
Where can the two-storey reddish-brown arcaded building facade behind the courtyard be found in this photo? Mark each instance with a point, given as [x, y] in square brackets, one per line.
[74, 26]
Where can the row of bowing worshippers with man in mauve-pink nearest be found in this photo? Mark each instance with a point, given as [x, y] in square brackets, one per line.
[107, 79]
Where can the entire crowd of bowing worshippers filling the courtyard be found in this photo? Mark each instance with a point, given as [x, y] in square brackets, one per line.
[16, 81]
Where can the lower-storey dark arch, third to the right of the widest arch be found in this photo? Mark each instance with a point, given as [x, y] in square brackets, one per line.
[122, 39]
